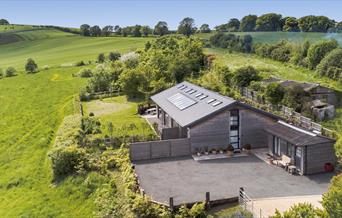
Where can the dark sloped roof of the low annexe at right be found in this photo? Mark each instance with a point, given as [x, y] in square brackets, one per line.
[296, 135]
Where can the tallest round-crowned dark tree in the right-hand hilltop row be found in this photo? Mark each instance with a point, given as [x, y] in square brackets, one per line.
[269, 22]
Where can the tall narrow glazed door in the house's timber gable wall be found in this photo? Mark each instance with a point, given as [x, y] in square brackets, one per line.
[234, 133]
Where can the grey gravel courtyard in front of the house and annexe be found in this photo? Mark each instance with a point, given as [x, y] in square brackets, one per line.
[187, 180]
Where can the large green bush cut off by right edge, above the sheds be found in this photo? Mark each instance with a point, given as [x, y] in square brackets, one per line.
[331, 65]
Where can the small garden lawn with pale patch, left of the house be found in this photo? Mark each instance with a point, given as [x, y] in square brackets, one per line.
[122, 113]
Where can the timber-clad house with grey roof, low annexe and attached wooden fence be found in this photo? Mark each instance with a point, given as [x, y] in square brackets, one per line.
[202, 119]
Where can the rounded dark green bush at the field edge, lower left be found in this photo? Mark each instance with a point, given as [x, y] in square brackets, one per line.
[67, 160]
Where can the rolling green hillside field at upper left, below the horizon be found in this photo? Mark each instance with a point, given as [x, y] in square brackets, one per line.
[53, 48]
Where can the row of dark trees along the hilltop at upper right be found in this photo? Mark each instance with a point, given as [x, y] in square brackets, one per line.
[276, 22]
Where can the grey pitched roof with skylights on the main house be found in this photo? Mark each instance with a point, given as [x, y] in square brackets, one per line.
[187, 103]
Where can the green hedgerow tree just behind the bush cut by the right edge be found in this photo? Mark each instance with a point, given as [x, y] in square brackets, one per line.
[318, 51]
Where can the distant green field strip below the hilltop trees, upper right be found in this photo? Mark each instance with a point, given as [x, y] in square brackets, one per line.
[274, 37]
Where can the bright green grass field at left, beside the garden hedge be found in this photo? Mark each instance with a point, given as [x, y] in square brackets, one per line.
[32, 107]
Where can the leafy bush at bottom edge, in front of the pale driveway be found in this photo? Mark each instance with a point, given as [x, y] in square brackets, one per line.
[301, 210]
